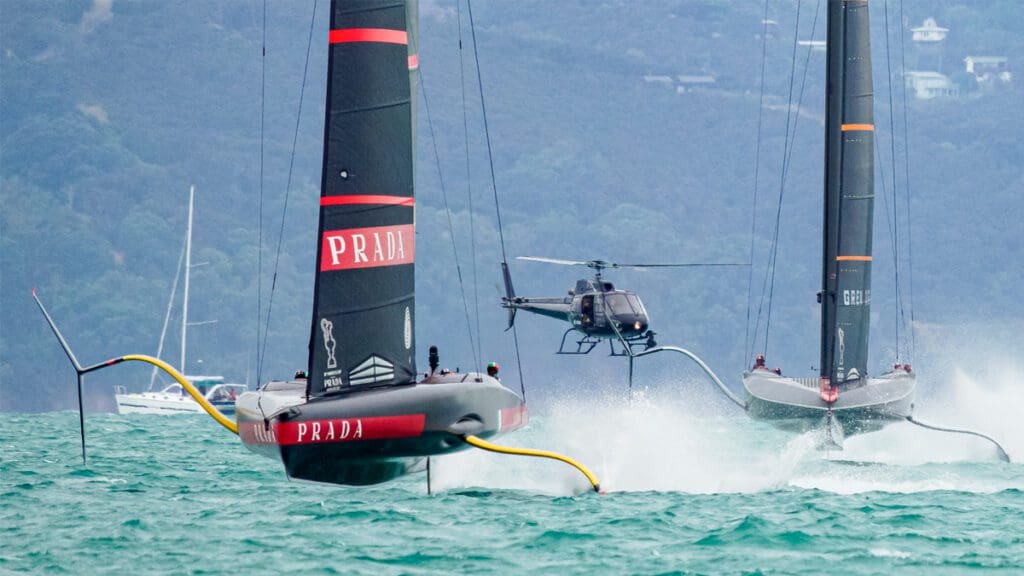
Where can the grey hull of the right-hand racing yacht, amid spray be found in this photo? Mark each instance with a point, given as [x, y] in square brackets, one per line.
[796, 405]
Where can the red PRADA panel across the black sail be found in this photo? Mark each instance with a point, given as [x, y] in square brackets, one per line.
[368, 248]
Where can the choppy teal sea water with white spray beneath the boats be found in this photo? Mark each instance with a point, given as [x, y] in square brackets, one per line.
[690, 491]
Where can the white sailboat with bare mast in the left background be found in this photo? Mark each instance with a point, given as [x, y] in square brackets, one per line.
[174, 399]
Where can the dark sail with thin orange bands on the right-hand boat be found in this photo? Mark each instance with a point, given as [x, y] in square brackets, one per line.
[849, 194]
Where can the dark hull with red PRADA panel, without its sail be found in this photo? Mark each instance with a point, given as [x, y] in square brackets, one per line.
[373, 436]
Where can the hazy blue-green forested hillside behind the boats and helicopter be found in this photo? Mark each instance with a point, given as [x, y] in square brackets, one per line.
[111, 110]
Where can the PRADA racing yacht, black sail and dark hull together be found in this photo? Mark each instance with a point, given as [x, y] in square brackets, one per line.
[364, 415]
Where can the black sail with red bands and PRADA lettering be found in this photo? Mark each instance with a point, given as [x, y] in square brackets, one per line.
[364, 308]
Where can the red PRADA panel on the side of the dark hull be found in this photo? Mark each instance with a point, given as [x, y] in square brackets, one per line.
[350, 430]
